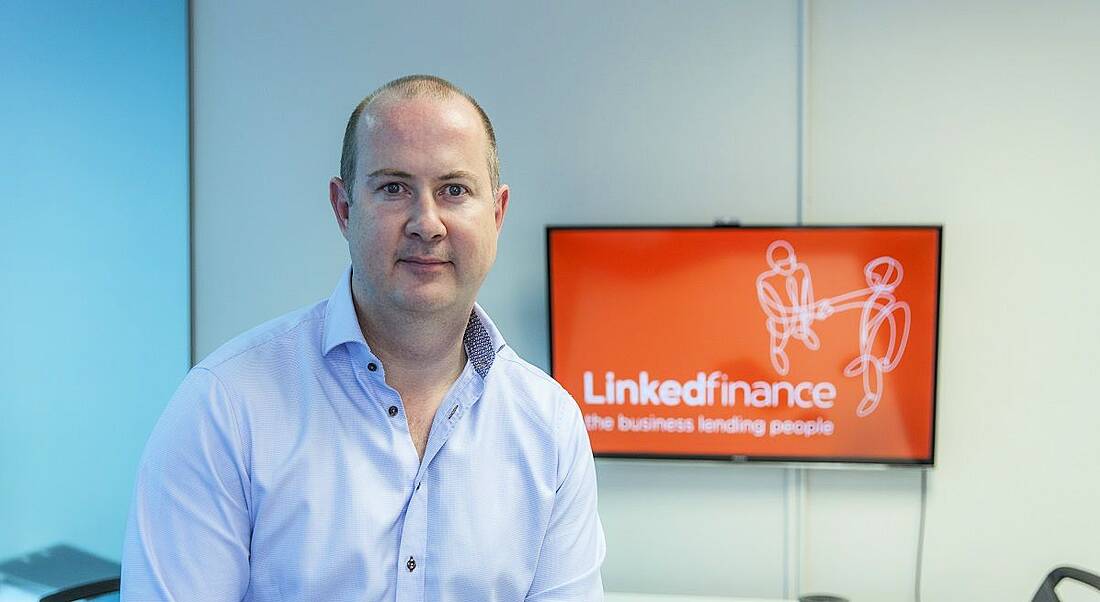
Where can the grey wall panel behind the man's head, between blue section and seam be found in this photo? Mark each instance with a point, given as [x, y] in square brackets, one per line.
[610, 113]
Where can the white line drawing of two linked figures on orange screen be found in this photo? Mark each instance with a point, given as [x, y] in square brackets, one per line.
[787, 297]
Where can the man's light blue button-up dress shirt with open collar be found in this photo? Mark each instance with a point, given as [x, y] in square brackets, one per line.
[283, 469]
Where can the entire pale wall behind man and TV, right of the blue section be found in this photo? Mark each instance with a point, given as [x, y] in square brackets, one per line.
[978, 116]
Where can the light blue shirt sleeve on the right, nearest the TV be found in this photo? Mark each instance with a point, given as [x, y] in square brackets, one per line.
[574, 549]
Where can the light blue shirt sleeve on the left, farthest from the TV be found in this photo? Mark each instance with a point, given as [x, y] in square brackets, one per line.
[190, 531]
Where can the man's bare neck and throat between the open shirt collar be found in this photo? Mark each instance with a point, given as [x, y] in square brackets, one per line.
[422, 353]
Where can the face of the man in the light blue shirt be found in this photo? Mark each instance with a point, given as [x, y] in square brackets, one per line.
[424, 222]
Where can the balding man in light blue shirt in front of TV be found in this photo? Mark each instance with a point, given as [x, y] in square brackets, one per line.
[384, 444]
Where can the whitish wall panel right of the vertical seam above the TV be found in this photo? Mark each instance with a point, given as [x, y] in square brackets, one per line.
[982, 116]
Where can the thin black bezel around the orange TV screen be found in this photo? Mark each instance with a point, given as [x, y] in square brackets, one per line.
[778, 461]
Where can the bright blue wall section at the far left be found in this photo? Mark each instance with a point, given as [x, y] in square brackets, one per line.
[94, 259]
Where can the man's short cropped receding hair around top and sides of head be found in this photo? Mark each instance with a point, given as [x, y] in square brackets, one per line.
[413, 86]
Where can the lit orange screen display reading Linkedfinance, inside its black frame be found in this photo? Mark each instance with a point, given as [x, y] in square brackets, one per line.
[811, 344]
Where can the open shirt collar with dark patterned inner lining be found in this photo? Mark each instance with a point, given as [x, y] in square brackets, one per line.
[482, 340]
